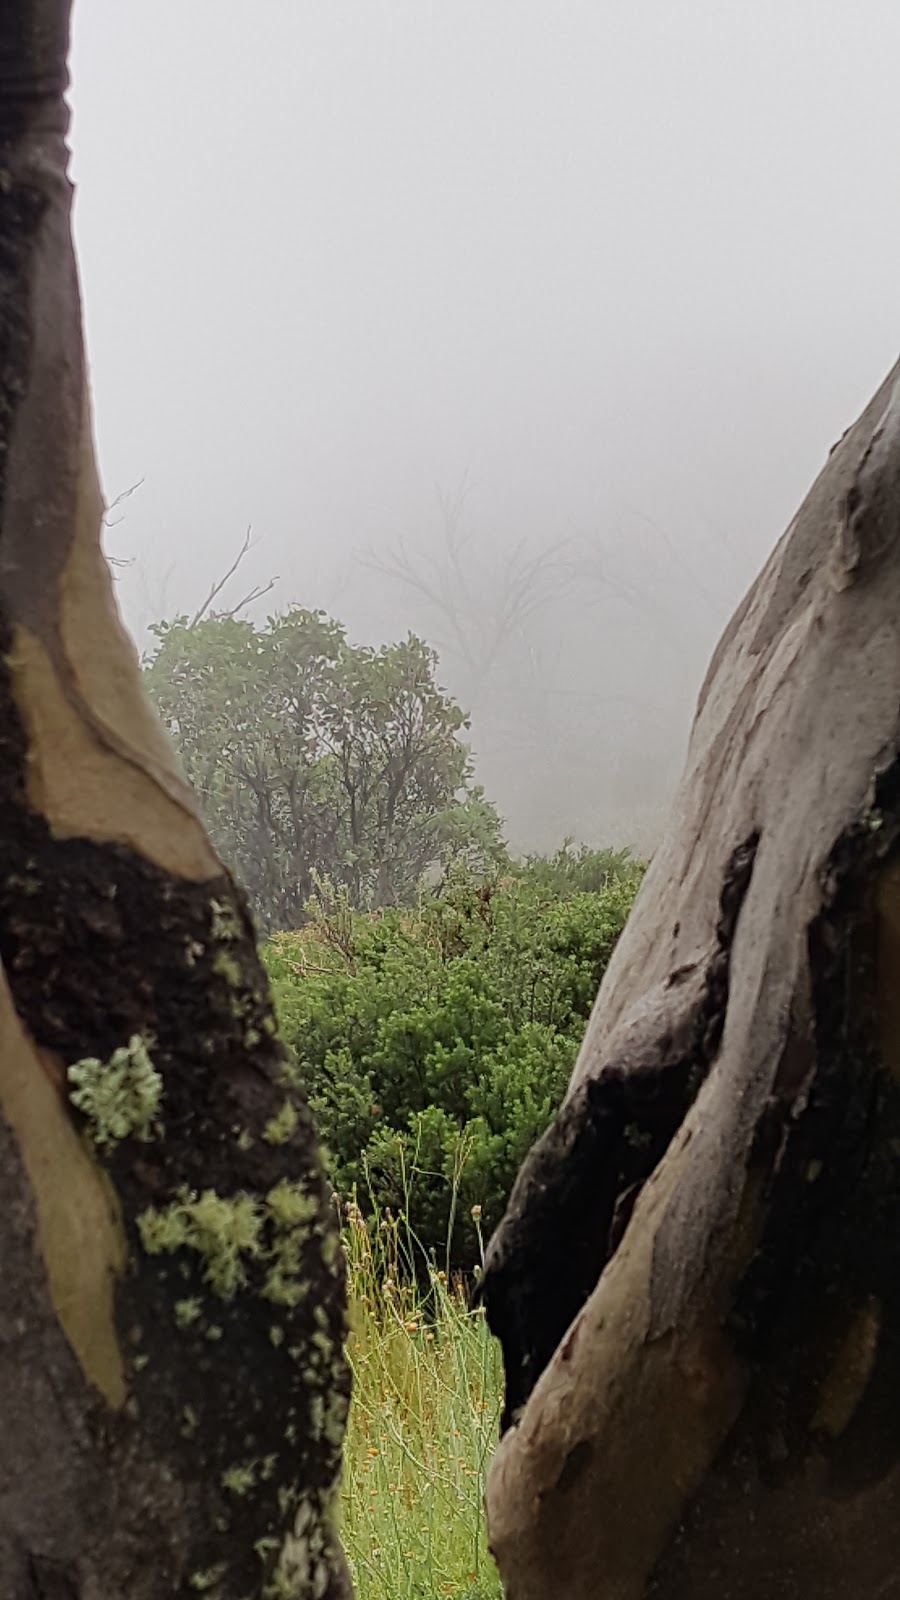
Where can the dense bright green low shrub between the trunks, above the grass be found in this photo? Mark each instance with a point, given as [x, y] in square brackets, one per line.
[438, 1044]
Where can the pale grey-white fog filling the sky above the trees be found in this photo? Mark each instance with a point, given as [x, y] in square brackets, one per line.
[521, 326]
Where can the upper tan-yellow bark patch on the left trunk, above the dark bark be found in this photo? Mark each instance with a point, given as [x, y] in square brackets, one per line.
[98, 762]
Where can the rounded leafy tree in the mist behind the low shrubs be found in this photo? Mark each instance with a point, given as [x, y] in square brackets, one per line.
[319, 759]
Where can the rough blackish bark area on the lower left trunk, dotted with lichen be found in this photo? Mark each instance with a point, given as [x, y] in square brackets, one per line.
[243, 1396]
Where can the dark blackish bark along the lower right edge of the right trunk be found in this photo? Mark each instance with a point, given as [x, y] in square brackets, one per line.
[816, 1454]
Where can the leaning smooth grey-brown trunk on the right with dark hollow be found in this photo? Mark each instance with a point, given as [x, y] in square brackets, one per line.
[697, 1282]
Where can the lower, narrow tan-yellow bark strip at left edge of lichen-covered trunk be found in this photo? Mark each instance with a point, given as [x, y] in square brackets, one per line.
[79, 1228]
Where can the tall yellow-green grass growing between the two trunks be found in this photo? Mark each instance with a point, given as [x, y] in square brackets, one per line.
[424, 1425]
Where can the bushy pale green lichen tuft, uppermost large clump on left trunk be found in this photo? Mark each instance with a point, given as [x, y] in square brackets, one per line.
[121, 1098]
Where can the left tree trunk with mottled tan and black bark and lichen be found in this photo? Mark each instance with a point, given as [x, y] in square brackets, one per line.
[172, 1375]
